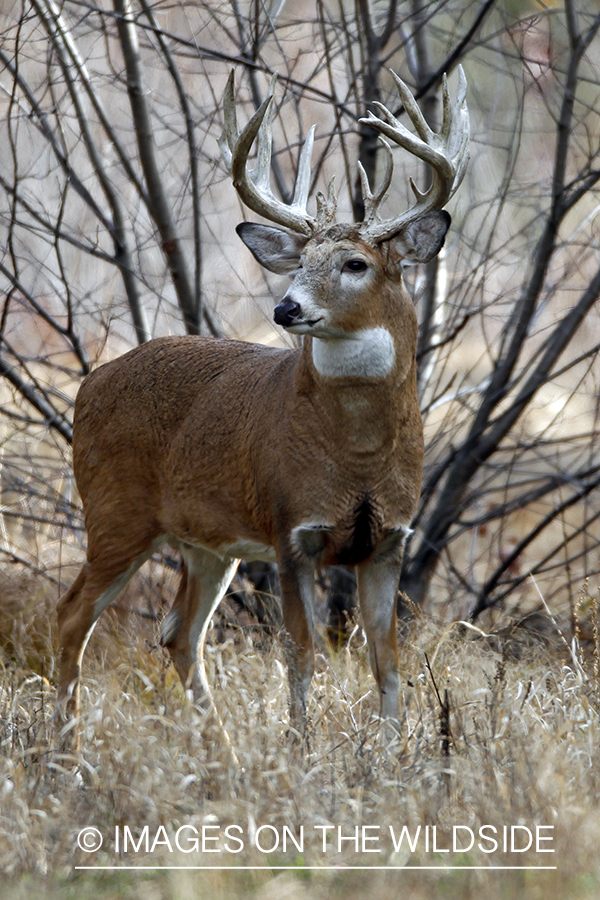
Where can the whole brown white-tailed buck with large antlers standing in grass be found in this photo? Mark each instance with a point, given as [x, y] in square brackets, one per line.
[305, 456]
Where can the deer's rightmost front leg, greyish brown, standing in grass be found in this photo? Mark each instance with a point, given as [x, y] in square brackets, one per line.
[377, 590]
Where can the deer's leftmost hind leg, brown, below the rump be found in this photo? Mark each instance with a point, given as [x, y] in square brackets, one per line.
[99, 582]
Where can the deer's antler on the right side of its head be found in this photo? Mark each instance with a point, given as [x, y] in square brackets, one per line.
[447, 152]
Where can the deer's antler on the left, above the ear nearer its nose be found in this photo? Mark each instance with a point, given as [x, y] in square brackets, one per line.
[253, 186]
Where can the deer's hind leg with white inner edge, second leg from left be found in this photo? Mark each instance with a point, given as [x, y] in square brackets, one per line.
[205, 578]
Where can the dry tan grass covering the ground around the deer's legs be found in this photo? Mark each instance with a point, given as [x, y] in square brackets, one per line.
[519, 746]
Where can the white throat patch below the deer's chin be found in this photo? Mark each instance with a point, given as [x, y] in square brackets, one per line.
[368, 353]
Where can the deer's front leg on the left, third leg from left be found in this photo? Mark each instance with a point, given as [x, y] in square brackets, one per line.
[297, 597]
